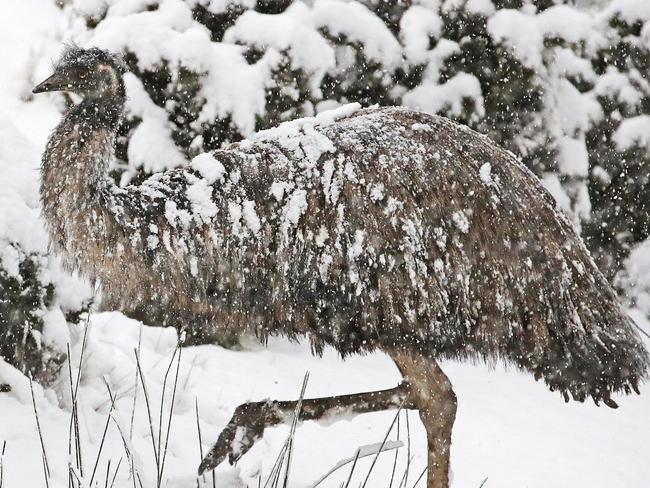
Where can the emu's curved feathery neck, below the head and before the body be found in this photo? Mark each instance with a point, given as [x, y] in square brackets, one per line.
[75, 180]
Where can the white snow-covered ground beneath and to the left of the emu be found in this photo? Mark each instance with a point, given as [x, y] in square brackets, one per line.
[510, 430]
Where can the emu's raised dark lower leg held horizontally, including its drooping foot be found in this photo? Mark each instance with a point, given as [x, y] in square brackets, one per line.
[250, 419]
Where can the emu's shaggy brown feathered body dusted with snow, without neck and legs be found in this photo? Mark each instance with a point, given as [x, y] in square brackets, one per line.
[386, 229]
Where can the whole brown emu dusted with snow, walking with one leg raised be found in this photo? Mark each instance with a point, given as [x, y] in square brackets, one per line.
[375, 229]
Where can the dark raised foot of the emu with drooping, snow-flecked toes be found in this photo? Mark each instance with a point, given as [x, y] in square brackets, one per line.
[245, 428]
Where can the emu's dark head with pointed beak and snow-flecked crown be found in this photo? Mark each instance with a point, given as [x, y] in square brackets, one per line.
[92, 73]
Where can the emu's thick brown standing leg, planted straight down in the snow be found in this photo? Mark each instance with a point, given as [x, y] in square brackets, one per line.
[433, 396]
